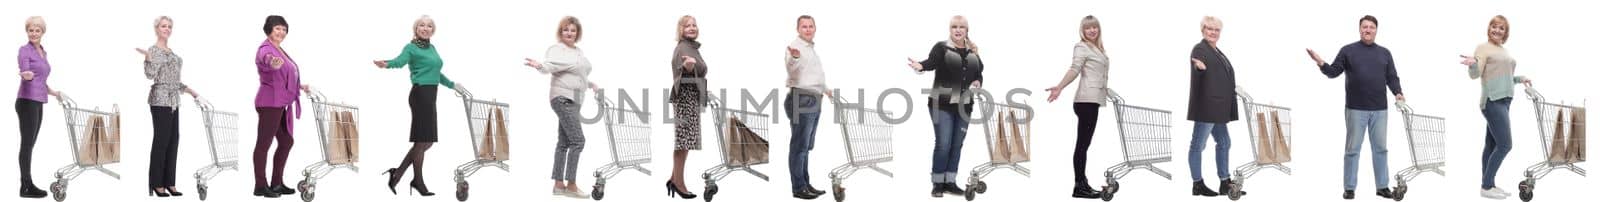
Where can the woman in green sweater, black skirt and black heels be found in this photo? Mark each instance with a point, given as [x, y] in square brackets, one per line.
[425, 63]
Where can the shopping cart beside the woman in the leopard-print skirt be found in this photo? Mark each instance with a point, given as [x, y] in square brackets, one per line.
[754, 123]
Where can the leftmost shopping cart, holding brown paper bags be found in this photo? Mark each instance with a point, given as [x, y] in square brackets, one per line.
[79, 126]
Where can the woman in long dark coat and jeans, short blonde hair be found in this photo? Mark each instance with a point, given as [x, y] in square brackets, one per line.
[1212, 105]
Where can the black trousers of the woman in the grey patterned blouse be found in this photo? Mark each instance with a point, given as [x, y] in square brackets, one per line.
[164, 148]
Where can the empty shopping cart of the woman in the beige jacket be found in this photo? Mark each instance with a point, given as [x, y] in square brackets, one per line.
[1146, 140]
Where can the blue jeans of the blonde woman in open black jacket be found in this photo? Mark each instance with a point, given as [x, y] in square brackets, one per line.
[950, 134]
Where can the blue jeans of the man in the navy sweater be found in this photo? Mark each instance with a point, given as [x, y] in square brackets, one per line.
[1374, 124]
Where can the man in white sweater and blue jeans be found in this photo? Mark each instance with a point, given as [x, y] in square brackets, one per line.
[807, 87]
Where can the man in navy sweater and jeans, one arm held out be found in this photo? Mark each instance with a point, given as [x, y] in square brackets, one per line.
[1369, 70]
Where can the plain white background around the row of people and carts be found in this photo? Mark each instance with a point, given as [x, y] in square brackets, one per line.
[863, 44]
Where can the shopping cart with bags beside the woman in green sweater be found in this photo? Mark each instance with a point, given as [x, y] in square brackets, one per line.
[479, 115]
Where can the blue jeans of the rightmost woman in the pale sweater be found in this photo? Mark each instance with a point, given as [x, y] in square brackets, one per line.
[1497, 140]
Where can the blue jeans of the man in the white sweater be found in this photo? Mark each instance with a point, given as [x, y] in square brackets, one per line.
[804, 113]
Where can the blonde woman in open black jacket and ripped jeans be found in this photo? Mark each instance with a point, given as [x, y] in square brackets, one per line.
[956, 71]
